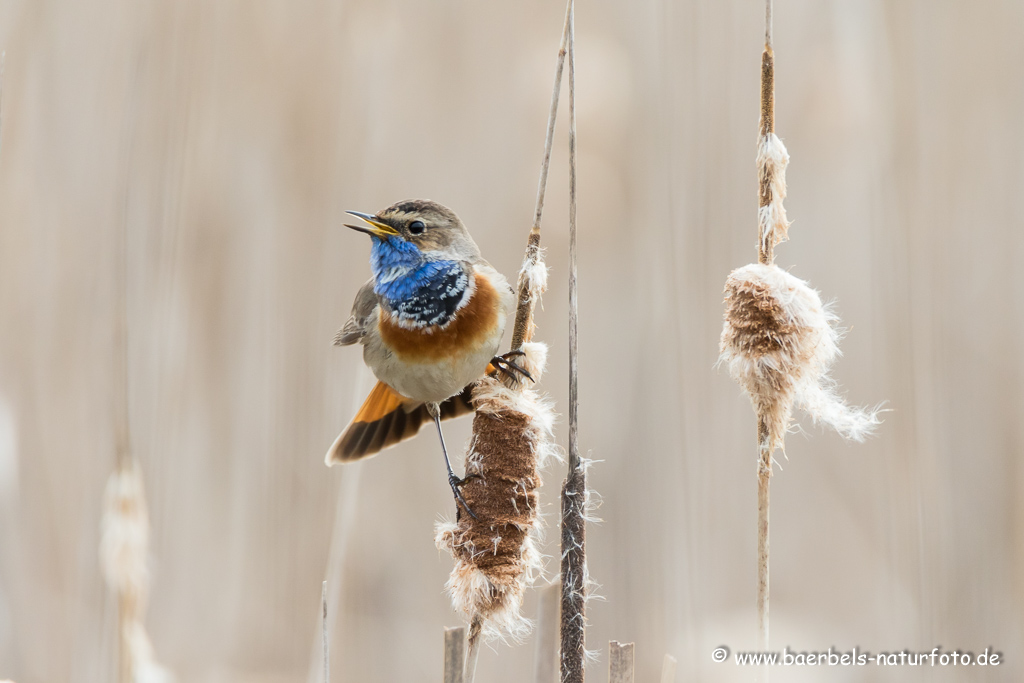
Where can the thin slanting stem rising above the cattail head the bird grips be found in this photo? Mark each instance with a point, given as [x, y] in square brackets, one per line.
[523, 329]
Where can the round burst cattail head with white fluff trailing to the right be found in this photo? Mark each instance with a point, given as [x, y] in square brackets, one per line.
[779, 344]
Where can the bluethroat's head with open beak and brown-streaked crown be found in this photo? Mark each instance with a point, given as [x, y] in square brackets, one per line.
[433, 229]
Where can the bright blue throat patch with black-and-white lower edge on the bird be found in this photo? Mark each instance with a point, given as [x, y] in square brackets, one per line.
[419, 290]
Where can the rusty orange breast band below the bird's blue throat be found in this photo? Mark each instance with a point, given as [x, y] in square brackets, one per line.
[473, 325]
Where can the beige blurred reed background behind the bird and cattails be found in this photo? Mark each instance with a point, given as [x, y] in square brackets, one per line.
[231, 137]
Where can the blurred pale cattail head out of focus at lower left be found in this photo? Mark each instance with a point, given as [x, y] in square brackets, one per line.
[124, 550]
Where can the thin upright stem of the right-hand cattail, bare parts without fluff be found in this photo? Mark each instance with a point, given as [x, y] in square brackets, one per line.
[766, 255]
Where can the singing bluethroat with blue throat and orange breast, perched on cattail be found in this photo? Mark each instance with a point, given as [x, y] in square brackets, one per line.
[430, 320]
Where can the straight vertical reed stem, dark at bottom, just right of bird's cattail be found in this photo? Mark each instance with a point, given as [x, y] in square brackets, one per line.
[574, 567]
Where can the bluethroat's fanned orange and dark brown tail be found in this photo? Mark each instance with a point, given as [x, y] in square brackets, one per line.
[389, 418]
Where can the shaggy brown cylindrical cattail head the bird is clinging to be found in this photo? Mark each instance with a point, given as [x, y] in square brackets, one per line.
[496, 556]
